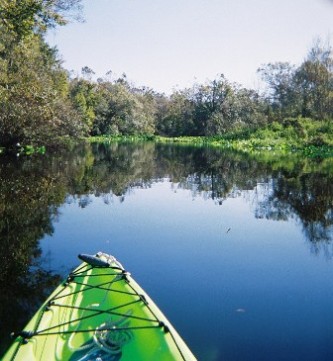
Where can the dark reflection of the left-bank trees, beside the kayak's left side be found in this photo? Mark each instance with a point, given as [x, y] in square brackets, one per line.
[31, 192]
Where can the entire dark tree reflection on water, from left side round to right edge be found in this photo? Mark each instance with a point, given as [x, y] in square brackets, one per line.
[33, 189]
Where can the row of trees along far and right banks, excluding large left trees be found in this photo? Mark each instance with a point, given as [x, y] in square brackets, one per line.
[219, 108]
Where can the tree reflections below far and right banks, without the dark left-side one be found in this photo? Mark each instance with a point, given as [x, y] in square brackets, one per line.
[285, 188]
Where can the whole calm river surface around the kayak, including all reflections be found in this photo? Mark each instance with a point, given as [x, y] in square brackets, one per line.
[236, 251]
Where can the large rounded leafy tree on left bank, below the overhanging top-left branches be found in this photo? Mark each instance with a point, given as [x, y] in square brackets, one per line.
[33, 96]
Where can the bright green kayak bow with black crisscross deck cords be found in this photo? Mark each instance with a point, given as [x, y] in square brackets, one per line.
[99, 313]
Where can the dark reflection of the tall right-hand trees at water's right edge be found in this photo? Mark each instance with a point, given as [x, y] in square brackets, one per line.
[306, 196]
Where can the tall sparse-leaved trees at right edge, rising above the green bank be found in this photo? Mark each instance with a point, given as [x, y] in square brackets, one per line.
[306, 90]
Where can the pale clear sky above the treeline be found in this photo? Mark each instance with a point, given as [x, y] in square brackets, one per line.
[171, 44]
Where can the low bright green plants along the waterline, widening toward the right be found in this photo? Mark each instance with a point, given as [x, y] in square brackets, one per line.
[294, 135]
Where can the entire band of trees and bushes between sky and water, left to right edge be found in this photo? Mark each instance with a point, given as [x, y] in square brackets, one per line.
[40, 104]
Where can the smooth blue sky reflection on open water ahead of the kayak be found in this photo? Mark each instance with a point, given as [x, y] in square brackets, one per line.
[235, 286]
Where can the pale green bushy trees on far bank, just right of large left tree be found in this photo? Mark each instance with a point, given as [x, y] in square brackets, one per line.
[113, 107]
